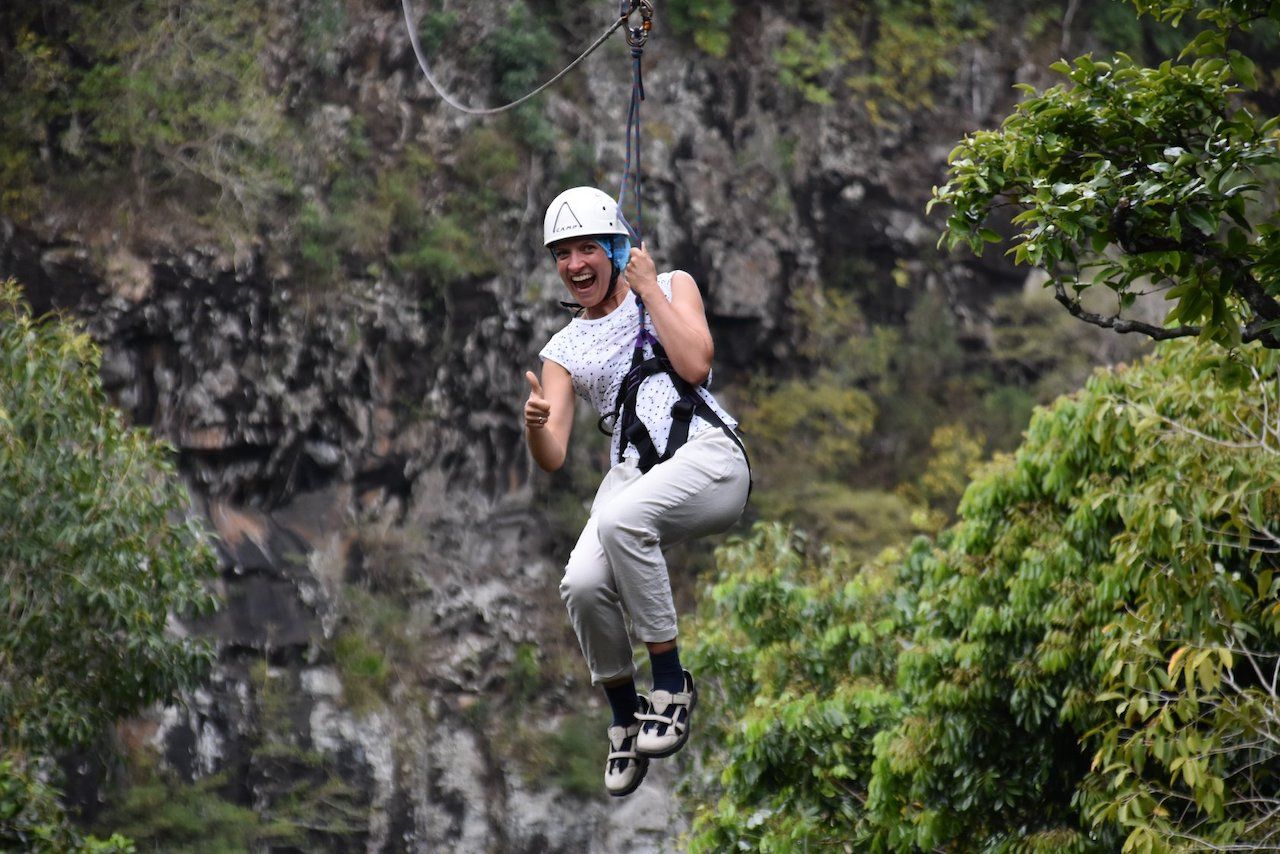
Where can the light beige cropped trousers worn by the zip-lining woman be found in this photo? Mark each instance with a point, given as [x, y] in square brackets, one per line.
[618, 569]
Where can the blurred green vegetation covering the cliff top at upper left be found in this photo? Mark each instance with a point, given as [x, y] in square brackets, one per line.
[209, 124]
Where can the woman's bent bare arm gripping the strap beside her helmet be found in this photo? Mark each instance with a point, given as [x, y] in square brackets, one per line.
[682, 323]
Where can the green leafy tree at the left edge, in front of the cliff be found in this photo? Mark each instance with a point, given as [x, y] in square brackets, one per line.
[97, 555]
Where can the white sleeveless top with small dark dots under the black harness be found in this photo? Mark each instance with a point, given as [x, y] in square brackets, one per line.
[597, 354]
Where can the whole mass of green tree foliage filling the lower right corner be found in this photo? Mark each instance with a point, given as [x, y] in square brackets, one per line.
[1085, 661]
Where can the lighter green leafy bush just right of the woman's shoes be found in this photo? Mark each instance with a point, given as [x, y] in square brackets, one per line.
[803, 647]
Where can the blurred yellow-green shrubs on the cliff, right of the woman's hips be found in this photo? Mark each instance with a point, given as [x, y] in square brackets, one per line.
[872, 436]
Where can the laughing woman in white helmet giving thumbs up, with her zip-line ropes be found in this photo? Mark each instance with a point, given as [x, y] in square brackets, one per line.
[641, 353]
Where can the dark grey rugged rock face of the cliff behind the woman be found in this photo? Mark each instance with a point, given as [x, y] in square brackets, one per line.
[392, 619]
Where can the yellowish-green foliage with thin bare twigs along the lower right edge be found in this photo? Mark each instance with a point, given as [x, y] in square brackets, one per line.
[1190, 757]
